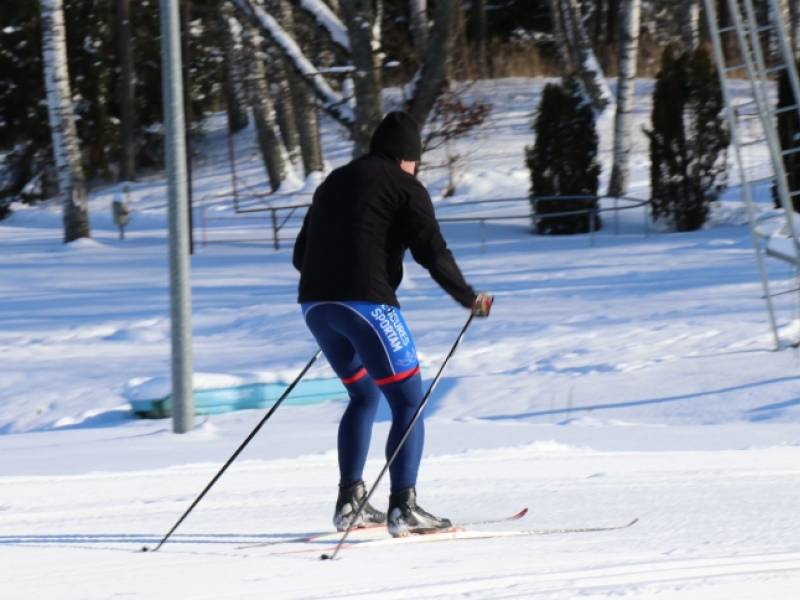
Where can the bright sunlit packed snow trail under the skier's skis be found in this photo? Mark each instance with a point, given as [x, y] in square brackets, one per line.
[710, 520]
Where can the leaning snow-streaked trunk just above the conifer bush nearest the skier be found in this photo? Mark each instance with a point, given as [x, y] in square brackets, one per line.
[577, 54]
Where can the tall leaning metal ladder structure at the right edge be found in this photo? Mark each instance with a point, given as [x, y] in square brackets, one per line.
[756, 112]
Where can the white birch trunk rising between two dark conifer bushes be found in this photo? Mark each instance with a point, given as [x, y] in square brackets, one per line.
[628, 53]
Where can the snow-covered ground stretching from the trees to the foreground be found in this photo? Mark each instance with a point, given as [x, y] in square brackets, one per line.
[629, 377]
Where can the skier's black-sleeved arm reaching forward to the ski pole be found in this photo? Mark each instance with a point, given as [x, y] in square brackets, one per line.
[430, 250]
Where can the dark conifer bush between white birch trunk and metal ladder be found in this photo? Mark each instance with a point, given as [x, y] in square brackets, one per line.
[688, 139]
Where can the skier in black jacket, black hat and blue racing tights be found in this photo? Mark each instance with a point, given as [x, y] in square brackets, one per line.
[349, 253]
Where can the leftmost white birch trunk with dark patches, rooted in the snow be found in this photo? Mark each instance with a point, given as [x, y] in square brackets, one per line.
[66, 148]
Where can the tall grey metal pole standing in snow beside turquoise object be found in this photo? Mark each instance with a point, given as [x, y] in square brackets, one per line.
[180, 292]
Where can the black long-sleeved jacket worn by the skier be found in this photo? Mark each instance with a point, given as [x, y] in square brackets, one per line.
[362, 219]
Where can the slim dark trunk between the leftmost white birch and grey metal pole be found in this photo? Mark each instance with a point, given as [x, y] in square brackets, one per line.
[127, 160]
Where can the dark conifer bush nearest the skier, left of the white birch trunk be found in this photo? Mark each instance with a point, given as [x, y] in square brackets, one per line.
[563, 161]
